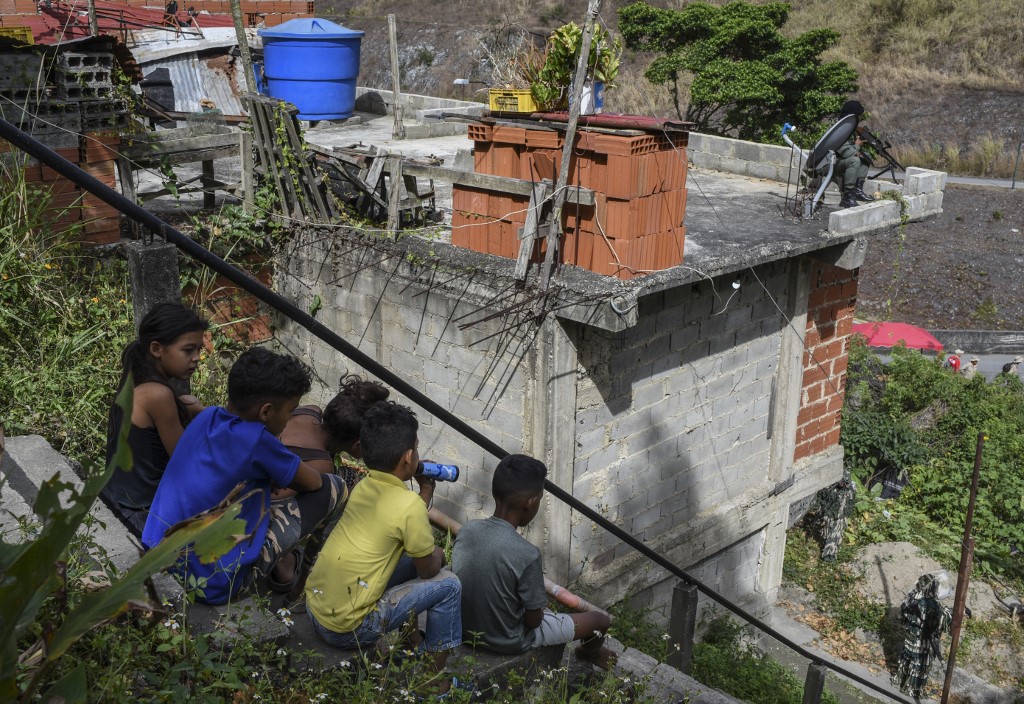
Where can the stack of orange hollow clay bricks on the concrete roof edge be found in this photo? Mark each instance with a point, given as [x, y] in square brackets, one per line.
[636, 225]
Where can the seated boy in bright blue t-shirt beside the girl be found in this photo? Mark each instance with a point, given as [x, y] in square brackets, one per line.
[225, 448]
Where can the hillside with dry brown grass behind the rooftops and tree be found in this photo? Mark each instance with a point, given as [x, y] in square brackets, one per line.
[943, 79]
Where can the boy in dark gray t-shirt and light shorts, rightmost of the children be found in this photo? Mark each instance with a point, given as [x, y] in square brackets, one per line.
[503, 595]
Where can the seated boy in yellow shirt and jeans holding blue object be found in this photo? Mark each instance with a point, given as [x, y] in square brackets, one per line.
[380, 564]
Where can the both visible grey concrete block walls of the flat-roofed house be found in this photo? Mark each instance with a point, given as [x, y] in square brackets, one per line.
[662, 428]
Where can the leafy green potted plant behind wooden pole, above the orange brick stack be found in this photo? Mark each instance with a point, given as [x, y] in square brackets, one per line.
[551, 80]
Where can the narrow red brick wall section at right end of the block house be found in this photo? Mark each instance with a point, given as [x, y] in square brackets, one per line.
[830, 317]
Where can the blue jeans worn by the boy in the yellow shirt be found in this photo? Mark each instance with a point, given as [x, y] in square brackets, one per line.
[440, 597]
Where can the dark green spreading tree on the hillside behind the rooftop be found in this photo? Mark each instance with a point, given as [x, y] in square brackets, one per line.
[748, 79]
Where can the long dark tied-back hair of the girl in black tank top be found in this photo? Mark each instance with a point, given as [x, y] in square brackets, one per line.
[164, 324]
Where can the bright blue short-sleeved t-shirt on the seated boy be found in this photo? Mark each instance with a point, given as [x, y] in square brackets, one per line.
[218, 452]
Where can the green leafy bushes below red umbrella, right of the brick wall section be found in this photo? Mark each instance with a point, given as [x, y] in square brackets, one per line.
[914, 417]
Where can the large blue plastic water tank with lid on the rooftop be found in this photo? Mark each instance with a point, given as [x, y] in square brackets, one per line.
[313, 64]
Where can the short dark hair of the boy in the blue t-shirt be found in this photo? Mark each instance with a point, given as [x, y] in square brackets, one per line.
[261, 376]
